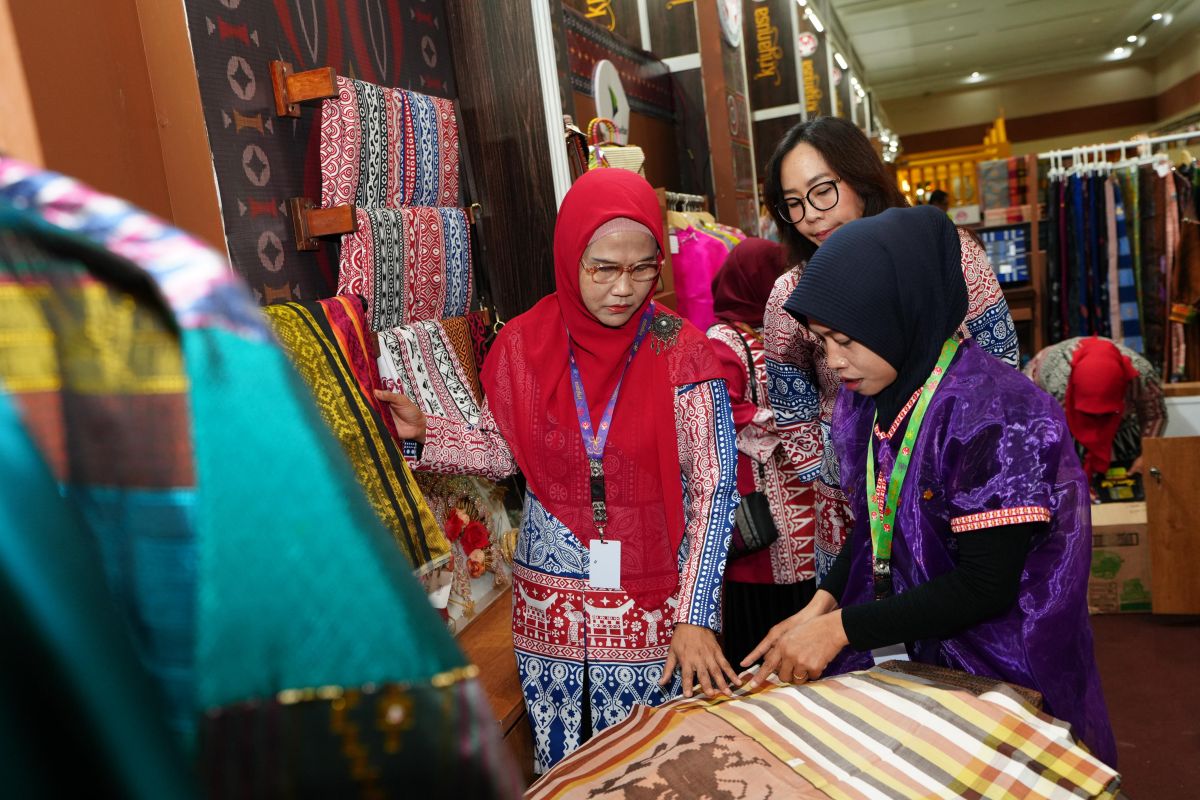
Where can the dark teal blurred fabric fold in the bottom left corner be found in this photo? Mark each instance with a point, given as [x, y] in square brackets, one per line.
[80, 709]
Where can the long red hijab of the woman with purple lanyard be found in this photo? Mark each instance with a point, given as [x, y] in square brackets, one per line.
[529, 389]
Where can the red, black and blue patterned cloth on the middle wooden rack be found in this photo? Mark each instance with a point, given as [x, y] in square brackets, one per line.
[410, 264]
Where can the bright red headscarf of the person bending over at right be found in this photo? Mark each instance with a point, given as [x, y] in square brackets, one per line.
[1096, 399]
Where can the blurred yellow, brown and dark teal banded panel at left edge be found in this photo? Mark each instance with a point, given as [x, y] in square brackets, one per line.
[98, 377]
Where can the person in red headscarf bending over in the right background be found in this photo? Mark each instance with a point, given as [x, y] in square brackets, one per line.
[1112, 396]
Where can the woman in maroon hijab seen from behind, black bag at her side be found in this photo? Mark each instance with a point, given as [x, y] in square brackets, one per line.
[767, 586]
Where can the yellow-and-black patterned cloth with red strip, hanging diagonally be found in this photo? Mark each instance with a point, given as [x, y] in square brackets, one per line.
[331, 348]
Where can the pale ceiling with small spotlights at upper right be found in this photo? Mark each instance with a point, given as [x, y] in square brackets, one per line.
[914, 47]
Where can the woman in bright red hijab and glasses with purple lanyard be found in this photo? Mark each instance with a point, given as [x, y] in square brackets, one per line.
[615, 412]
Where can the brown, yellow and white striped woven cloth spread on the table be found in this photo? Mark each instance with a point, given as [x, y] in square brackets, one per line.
[868, 735]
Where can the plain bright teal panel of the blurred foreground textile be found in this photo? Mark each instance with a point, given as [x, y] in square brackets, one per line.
[299, 584]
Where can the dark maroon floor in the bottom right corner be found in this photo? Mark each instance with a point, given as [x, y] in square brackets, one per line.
[1150, 667]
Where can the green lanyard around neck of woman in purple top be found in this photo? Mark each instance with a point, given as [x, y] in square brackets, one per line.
[884, 519]
